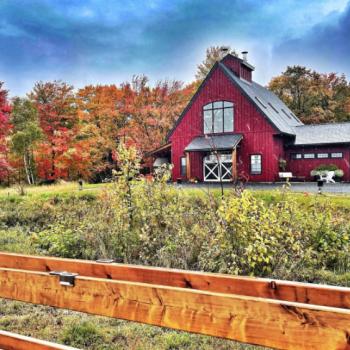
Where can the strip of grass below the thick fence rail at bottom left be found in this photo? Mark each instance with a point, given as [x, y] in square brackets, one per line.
[100, 333]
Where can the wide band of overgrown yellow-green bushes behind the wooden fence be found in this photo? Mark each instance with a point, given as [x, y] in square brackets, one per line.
[153, 223]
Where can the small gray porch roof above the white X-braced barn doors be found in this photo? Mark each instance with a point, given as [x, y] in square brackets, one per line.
[217, 142]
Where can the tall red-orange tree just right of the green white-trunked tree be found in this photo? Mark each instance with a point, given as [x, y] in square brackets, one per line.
[55, 102]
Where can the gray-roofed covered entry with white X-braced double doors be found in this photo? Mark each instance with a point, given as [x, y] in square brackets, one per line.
[219, 156]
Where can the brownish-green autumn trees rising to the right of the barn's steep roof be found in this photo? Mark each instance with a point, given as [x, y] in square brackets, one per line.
[312, 96]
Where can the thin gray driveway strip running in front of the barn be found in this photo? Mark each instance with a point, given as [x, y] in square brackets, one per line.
[295, 187]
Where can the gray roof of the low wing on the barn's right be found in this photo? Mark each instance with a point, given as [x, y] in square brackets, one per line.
[322, 134]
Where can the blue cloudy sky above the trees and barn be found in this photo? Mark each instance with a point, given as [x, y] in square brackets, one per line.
[108, 41]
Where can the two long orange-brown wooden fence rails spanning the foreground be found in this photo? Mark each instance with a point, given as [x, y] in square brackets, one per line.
[273, 313]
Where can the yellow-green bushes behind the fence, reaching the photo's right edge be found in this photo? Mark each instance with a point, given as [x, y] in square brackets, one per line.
[256, 239]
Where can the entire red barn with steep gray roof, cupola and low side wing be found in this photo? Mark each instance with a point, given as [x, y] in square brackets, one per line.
[234, 127]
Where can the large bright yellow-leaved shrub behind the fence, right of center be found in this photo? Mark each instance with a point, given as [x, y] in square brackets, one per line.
[252, 238]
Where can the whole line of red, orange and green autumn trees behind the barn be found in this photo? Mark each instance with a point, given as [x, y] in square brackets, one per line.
[57, 132]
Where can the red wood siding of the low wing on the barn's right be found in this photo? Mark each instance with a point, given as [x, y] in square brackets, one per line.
[303, 167]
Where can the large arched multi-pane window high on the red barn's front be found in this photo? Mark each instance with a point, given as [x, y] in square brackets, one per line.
[218, 117]
